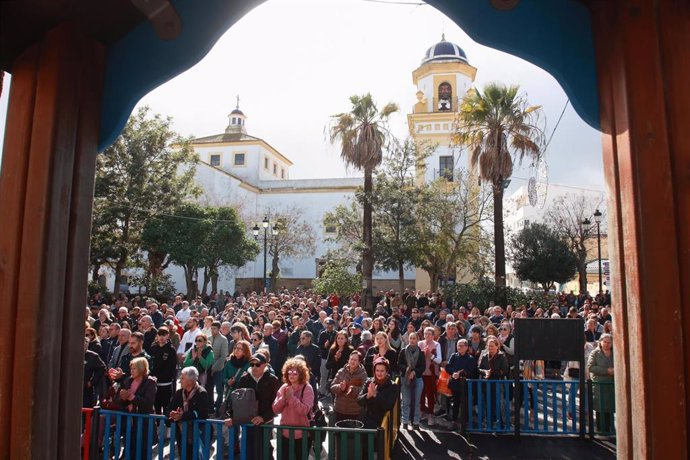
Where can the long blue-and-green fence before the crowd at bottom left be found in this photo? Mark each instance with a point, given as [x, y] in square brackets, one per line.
[115, 435]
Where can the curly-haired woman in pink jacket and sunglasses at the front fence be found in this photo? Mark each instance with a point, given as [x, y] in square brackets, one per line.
[294, 402]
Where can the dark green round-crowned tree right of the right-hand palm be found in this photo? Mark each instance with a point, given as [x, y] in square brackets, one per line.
[539, 254]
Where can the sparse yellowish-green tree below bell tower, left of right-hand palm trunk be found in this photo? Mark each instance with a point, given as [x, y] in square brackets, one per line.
[449, 221]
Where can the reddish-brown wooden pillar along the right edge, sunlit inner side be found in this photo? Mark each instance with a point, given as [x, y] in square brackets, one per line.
[644, 69]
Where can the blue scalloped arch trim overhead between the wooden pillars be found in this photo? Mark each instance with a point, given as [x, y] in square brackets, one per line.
[555, 35]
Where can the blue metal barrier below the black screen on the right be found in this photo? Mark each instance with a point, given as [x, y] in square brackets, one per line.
[545, 406]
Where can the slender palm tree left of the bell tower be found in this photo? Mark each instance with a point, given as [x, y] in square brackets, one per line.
[362, 133]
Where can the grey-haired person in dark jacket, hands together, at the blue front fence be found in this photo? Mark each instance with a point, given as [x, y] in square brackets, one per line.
[191, 402]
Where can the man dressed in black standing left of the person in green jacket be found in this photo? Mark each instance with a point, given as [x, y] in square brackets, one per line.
[164, 368]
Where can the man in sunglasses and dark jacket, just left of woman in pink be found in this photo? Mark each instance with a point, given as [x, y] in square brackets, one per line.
[265, 385]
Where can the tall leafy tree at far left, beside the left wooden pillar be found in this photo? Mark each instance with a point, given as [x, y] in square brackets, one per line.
[147, 171]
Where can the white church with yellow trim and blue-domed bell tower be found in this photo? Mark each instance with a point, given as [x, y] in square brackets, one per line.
[246, 172]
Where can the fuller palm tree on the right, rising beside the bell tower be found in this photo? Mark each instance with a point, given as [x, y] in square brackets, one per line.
[499, 126]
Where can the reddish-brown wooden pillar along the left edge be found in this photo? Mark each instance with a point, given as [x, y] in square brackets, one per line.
[46, 196]
